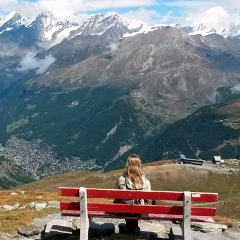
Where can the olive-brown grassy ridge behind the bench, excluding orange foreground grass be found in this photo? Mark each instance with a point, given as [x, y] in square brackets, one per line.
[166, 177]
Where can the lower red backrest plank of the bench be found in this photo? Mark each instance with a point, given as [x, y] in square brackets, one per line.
[152, 209]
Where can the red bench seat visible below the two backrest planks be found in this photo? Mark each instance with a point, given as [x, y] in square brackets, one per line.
[151, 216]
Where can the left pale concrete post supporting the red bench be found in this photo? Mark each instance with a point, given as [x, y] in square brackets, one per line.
[84, 222]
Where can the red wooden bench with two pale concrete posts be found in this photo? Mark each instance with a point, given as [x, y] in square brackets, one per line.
[185, 213]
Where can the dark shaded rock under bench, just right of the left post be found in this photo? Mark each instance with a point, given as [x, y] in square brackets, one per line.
[101, 229]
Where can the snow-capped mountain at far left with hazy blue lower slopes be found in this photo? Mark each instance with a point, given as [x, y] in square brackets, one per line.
[20, 36]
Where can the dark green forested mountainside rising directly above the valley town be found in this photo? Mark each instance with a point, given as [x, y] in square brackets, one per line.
[89, 123]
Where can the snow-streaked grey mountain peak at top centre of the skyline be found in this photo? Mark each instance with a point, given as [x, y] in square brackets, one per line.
[111, 24]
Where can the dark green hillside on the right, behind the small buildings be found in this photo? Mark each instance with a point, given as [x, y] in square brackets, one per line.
[212, 130]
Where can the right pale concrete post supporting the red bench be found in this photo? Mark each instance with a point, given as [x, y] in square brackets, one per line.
[186, 224]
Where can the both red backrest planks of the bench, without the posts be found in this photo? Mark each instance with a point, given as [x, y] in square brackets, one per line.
[130, 194]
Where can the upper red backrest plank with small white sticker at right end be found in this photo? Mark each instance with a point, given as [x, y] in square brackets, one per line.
[130, 194]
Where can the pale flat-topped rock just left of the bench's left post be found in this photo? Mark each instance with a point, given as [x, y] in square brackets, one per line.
[58, 228]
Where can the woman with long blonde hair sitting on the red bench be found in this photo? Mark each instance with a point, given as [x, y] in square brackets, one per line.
[132, 179]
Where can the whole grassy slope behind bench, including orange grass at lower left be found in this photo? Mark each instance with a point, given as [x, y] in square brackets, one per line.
[167, 177]
